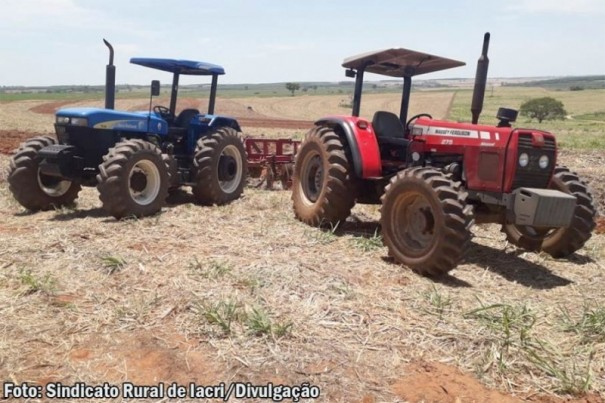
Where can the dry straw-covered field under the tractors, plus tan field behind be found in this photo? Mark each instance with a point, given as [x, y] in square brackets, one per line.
[245, 292]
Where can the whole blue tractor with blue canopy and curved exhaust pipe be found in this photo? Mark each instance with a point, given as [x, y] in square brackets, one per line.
[134, 158]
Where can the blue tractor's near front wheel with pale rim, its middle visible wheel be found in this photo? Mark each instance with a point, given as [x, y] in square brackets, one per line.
[133, 179]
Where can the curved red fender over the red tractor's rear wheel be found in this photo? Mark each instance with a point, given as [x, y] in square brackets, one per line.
[361, 140]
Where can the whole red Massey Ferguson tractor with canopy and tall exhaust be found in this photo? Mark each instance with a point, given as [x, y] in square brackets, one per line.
[435, 178]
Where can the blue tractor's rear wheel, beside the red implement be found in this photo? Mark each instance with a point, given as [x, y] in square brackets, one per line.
[220, 167]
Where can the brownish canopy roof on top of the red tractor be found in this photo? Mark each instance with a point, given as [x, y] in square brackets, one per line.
[399, 62]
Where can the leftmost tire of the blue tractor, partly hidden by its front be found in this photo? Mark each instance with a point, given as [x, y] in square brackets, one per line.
[33, 190]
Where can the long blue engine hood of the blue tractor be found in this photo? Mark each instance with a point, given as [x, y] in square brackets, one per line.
[109, 119]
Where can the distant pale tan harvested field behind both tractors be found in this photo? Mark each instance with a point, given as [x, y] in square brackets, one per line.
[279, 112]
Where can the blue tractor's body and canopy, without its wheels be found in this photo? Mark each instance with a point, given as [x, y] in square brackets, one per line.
[90, 132]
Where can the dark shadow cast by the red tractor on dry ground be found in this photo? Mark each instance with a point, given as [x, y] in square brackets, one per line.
[508, 265]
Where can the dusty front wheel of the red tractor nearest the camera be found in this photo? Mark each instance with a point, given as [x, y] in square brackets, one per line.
[425, 221]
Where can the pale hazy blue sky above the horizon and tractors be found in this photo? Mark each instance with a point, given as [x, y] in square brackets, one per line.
[55, 42]
